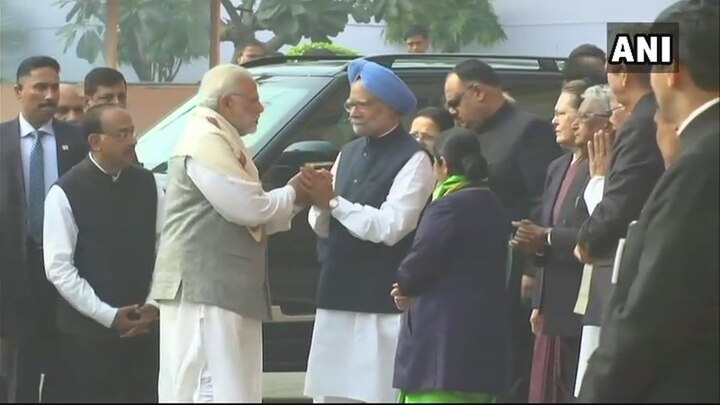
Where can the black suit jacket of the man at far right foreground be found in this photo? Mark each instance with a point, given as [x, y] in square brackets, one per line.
[659, 341]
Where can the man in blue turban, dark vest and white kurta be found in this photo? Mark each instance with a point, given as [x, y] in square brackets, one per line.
[365, 220]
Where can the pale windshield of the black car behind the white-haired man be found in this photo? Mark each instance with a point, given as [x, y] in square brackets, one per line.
[282, 98]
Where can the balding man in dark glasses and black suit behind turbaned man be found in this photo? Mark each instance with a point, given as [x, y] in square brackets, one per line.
[519, 147]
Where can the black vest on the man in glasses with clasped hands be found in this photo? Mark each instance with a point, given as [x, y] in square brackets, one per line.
[115, 248]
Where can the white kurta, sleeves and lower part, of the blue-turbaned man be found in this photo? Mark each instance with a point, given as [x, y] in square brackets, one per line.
[352, 355]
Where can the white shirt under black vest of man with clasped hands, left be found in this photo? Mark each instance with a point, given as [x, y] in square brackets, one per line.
[59, 240]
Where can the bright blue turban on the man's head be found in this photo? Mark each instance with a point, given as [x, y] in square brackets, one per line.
[384, 84]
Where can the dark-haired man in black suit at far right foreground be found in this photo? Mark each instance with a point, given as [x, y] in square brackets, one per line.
[659, 341]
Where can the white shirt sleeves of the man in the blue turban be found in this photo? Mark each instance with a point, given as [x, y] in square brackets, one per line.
[395, 218]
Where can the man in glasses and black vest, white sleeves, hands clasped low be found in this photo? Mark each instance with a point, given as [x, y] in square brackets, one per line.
[102, 219]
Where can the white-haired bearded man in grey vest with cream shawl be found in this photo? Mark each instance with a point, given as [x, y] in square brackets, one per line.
[210, 275]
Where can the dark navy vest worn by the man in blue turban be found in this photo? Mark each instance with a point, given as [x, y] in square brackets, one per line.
[358, 275]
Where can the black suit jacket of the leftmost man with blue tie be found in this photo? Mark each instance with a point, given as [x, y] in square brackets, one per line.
[71, 148]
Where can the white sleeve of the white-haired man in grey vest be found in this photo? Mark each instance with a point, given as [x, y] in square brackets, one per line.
[244, 202]
